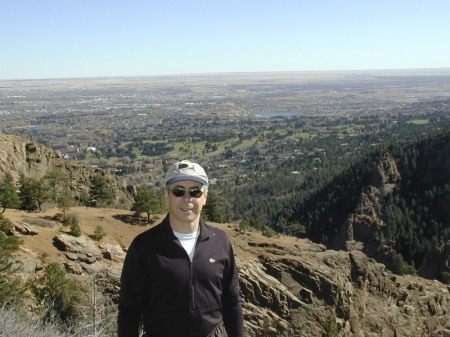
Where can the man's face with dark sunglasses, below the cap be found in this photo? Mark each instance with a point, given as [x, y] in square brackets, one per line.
[185, 205]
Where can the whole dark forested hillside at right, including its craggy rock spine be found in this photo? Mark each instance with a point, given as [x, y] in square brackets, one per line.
[393, 201]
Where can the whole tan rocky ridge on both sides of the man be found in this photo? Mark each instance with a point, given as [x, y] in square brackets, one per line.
[290, 287]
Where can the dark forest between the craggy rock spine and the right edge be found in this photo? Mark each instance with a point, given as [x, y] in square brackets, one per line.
[416, 212]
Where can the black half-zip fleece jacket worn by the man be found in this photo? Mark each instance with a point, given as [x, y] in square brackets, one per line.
[173, 296]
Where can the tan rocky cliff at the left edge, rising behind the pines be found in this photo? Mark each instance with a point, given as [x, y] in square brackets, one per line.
[20, 156]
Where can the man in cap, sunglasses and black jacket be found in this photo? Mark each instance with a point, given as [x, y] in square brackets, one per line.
[179, 277]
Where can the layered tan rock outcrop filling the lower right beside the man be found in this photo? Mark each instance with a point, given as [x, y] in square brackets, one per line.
[298, 294]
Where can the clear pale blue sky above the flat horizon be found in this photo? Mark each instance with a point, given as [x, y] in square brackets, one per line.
[96, 38]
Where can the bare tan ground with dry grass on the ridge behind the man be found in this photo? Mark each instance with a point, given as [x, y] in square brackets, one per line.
[121, 228]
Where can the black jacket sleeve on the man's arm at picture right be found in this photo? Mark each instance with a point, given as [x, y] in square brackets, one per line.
[231, 300]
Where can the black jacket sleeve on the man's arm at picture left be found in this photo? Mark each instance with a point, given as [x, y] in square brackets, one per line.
[132, 295]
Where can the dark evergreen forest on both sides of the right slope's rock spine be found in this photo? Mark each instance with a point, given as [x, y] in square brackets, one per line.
[415, 205]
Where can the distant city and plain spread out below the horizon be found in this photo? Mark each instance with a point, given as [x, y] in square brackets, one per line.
[136, 124]
